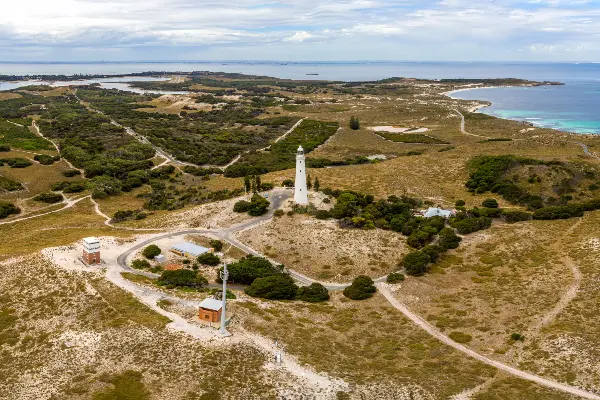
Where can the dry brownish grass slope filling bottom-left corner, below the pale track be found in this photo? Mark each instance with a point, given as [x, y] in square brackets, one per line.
[76, 330]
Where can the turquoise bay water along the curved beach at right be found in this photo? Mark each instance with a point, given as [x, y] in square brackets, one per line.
[574, 107]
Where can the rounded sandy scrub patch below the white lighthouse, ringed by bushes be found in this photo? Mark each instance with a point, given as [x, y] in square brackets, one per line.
[323, 251]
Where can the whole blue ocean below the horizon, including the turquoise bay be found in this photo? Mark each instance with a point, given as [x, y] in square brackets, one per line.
[573, 107]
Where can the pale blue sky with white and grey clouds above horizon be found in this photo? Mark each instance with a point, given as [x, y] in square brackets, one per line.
[296, 30]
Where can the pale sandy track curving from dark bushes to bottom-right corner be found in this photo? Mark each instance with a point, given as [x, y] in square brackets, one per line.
[426, 326]
